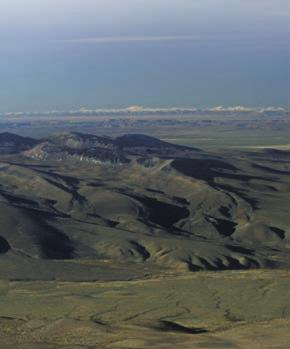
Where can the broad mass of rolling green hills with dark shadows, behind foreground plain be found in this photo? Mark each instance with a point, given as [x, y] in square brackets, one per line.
[82, 207]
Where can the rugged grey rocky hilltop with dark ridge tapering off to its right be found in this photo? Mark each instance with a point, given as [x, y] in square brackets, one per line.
[96, 149]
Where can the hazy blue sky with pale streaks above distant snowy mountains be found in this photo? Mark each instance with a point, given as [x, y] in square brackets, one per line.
[68, 54]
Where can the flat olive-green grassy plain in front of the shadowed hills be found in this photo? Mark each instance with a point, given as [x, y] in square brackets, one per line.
[231, 309]
